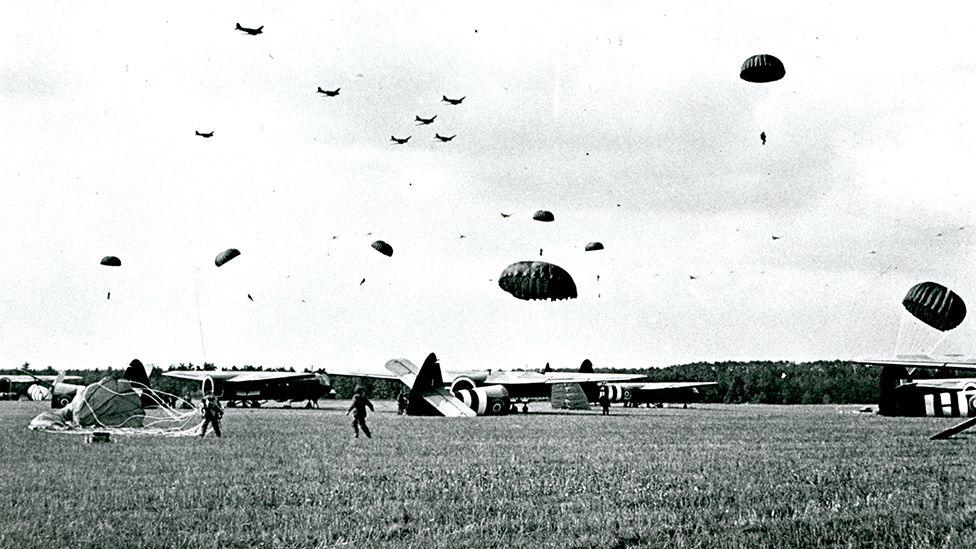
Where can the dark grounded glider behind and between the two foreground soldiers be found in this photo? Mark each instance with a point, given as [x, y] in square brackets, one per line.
[250, 388]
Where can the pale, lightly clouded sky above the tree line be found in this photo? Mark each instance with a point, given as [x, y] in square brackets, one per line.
[626, 120]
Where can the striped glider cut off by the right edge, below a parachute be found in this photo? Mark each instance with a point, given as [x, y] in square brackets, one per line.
[949, 397]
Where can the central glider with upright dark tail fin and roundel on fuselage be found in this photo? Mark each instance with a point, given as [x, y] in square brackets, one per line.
[482, 392]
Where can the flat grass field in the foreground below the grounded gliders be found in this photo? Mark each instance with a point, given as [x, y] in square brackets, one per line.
[712, 476]
